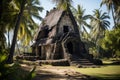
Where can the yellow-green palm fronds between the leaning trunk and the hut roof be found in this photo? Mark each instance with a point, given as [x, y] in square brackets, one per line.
[28, 25]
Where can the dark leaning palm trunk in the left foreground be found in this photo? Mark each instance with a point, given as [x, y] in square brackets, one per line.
[12, 49]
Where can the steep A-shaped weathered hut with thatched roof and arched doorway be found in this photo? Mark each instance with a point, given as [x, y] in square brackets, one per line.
[58, 37]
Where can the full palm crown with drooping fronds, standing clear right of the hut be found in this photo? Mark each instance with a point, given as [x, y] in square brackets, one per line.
[99, 23]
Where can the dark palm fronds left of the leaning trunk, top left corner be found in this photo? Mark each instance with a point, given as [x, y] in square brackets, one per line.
[8, 12]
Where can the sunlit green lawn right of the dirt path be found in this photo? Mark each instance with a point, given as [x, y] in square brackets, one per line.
[105, 72]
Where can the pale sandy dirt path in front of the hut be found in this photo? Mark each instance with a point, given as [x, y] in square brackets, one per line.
[57, 73]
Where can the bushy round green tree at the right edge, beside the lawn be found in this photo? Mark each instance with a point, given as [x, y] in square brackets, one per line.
[111, 42]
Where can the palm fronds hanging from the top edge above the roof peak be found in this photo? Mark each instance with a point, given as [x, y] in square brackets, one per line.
[63, 4]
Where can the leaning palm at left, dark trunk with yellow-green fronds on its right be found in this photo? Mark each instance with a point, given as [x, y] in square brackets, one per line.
[28, 10]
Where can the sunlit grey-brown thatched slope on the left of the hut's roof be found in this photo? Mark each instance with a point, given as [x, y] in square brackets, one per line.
[52, 18]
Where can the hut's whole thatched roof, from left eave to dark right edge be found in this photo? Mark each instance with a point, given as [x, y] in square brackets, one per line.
[49, 22]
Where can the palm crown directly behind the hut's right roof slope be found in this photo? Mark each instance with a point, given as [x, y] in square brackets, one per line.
[81, 18]
